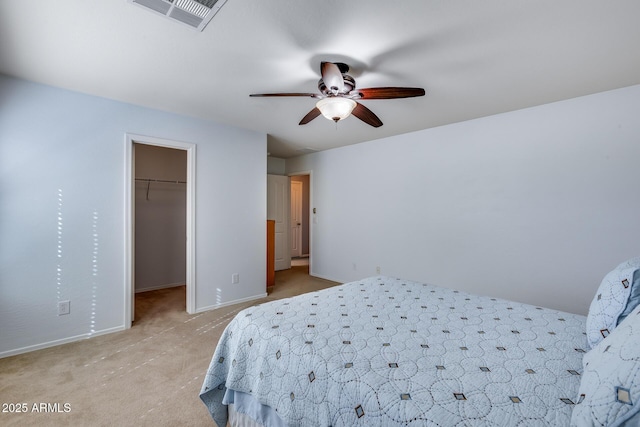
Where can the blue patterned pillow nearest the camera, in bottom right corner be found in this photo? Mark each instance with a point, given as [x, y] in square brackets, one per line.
[610, 387]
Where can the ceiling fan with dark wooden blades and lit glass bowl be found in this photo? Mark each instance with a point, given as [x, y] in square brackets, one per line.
[338, 97]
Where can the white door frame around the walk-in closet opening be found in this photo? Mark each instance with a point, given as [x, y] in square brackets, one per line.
[129, 279]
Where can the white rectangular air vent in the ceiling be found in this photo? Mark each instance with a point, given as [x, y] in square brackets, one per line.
[194, 13]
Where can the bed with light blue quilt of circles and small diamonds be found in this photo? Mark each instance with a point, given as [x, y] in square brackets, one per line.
[385, 351]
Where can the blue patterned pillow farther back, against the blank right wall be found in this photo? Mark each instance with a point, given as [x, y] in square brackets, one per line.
[611, 301]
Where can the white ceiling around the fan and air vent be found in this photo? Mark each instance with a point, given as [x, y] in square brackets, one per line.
[474, 58]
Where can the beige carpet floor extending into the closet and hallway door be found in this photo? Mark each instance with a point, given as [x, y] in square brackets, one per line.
[149, 375]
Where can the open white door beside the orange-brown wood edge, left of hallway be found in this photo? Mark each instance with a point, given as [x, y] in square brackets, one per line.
[278, 209]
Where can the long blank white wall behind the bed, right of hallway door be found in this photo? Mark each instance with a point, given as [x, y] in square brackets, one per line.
[535, 205]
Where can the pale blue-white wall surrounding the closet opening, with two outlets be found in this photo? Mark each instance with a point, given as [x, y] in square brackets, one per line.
[62, 218]
